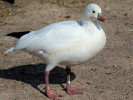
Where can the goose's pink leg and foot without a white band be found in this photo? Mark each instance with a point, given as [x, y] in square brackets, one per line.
[47, 90]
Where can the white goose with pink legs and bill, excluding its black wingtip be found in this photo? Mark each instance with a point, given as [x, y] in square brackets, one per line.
[68, 43]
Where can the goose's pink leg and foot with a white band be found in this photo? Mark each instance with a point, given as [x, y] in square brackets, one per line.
[70, 90]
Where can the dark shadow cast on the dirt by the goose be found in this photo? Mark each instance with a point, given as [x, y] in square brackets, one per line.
[34, 75]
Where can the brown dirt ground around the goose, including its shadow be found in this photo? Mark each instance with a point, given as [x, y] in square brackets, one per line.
[108, 76]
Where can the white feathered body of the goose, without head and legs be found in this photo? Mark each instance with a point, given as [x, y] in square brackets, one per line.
[66, 42]
